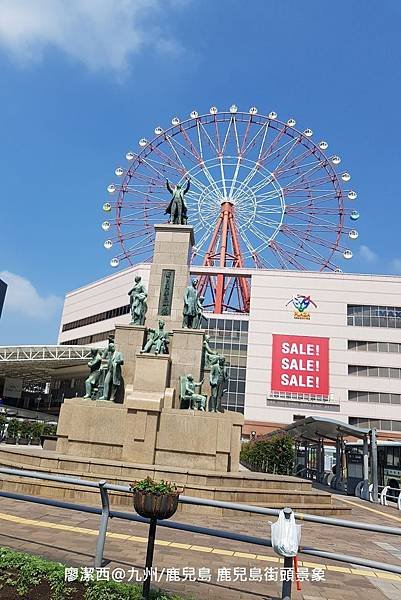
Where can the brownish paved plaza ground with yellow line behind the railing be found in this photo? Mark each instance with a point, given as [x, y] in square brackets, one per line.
[70, 537]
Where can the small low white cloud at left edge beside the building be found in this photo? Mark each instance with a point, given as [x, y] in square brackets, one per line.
[24, 299]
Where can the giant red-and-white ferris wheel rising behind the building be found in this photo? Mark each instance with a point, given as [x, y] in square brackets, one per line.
[262, 194]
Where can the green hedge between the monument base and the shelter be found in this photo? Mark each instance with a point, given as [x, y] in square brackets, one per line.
[269, 455]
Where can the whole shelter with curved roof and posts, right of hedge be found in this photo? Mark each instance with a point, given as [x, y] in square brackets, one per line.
[313, 432]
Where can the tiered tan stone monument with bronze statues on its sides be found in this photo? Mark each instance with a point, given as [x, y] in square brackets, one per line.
[157, 369]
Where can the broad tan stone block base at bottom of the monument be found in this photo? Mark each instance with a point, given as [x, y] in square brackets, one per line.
[142, 431]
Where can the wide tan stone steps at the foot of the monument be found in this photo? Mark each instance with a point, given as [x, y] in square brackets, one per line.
[275, 492]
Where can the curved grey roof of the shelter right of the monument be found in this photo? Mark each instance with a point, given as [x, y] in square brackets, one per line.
[314, 429]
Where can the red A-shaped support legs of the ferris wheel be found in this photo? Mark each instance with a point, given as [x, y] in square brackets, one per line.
[224, 238]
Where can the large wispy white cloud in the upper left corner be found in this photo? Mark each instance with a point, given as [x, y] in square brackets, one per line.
[101, 34]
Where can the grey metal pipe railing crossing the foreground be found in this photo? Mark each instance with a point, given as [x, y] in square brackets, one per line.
[105, 513]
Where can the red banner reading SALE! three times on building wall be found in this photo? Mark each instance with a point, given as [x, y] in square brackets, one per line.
[300, 364]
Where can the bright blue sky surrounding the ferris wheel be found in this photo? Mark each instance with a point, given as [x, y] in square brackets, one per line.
[82, 81]
